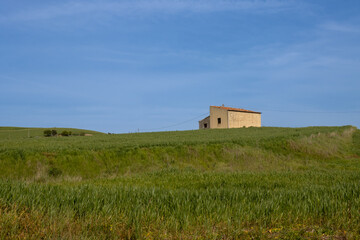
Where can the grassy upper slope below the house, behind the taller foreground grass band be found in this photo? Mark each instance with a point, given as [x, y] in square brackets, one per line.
[251, 149]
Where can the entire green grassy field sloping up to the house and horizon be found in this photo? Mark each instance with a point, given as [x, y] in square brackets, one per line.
[249, 183]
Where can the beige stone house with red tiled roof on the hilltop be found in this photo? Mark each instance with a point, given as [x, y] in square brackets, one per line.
[227, 117]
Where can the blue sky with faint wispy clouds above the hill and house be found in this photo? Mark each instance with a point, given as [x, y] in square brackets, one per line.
[120, 66]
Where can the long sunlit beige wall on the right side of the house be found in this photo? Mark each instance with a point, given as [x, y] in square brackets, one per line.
[243, 119]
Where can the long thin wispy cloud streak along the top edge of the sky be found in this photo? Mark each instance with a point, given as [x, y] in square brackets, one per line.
[145, 7]
